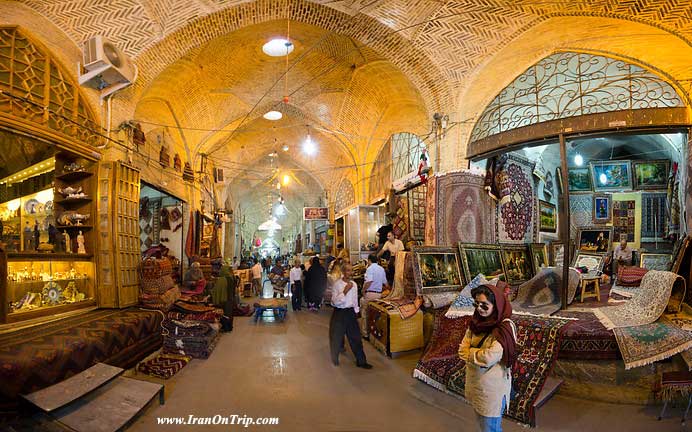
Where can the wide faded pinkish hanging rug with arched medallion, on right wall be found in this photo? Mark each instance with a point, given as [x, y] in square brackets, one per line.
[464, 211]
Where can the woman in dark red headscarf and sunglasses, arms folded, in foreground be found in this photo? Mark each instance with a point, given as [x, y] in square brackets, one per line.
[489, 350]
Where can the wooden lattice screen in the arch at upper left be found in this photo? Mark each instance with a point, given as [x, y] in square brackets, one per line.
[35, 90]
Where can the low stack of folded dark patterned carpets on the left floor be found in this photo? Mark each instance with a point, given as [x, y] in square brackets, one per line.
[191, 329]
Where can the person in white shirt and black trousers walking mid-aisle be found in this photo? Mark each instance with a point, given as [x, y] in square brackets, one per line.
[344, 321]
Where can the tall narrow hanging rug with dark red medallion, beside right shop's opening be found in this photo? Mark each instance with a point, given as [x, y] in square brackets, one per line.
[516, 209]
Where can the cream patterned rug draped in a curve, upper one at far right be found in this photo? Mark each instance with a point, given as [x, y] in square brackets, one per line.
[647, 305]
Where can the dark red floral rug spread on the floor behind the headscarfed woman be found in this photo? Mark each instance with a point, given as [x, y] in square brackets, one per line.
[538, 340]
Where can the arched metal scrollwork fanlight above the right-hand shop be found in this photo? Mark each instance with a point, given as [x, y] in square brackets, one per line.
[570, 84]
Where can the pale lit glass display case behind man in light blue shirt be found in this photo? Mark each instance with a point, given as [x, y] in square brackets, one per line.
[360, 230]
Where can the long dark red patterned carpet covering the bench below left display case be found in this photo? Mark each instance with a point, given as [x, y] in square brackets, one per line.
[36, 357]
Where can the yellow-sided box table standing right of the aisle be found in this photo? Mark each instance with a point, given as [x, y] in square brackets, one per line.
[390, 333]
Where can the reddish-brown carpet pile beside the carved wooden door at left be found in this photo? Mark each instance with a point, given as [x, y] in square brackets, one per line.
[157, 287]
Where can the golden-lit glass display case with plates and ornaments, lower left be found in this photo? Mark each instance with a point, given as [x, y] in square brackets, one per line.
[41, 284]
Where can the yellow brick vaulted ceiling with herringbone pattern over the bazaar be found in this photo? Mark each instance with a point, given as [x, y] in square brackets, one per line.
[364, 68]
